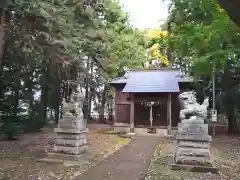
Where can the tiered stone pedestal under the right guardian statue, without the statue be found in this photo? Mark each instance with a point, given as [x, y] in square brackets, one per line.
[193, 148]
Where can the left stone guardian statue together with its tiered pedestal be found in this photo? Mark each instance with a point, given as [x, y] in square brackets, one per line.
[71, 134]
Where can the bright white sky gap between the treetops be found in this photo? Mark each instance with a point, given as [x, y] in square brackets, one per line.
[146, 13]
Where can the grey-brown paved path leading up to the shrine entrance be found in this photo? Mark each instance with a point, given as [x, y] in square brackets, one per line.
[129, 163]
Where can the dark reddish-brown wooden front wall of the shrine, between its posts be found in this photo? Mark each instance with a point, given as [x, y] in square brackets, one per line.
[141, 112]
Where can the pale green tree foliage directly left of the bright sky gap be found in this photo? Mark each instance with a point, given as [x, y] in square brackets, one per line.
[124, 42]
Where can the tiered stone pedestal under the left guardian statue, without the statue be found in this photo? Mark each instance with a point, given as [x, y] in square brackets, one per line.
[70, 142]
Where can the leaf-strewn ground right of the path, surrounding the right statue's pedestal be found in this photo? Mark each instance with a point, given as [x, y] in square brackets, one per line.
[225, 153]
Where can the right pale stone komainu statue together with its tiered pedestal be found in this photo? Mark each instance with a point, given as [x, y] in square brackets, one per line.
[193, 141]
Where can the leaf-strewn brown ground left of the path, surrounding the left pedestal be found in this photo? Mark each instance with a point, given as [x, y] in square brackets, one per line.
[18, 158]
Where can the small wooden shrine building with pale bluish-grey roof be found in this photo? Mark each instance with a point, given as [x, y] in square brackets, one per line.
[146, 100]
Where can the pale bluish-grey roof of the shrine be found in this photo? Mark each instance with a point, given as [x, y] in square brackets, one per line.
[152, 80]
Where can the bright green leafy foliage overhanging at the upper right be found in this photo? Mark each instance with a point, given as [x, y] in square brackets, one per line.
[201, 32]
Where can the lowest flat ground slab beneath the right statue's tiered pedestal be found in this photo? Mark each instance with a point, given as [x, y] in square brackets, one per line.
[202, 169]
